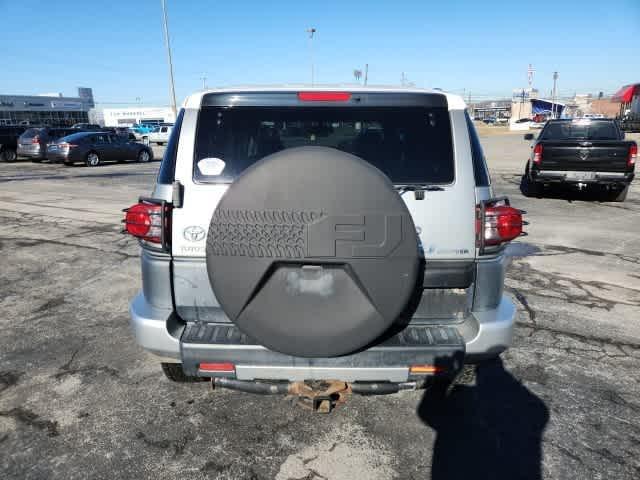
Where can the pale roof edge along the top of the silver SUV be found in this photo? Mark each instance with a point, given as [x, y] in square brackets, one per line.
[455, 102]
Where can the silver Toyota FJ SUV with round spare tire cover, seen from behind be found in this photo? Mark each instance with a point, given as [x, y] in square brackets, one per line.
[313, 235]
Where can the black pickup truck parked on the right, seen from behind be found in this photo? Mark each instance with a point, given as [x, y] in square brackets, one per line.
[581, 153]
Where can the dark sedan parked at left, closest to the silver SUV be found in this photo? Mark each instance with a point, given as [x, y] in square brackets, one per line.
[95, 148]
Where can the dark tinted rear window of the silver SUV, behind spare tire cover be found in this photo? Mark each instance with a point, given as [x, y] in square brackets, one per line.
[409, 144]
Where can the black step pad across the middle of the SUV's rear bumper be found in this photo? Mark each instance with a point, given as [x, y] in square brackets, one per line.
[420, 344]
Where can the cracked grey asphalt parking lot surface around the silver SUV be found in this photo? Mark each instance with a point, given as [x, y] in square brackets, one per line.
[78, 398]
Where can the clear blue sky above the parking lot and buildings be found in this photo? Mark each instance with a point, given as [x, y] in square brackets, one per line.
[478, 46]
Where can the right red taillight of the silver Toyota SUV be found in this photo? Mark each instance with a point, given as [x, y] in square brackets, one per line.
[497, 224]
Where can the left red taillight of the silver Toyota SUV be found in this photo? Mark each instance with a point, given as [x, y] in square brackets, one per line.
[148, 221]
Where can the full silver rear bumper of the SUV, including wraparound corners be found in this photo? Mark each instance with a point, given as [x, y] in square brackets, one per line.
[482, 335]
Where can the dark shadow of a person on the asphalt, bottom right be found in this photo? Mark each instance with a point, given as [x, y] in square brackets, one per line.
[492, 430]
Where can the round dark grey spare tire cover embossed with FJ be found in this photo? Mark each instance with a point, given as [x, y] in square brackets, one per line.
[311, 252]
